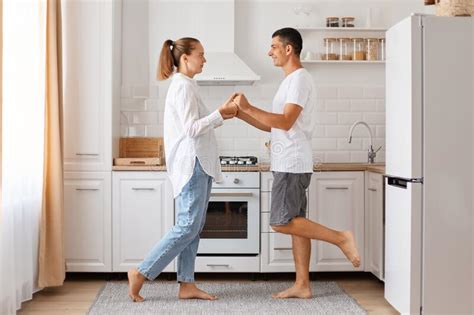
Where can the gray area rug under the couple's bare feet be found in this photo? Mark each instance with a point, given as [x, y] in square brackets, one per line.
[234, 298]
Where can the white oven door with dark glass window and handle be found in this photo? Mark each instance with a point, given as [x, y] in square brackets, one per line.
[232, 222]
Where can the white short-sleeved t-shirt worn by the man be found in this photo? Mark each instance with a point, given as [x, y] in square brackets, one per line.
[291, 150]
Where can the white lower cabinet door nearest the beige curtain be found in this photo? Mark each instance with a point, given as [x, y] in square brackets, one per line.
[87, 221]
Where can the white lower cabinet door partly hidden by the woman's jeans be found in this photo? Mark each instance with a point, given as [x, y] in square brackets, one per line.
[143, 211]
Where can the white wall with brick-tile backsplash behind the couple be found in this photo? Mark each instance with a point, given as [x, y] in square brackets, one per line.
[345, 93]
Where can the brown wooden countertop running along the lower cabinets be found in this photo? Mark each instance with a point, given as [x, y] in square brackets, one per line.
[321, 167]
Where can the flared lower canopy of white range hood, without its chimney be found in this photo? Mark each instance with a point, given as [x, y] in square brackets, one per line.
[225, 68]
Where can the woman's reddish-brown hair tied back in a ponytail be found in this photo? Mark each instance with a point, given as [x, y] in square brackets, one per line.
[171, 54]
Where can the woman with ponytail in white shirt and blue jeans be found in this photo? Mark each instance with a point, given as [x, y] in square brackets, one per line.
[192, 162]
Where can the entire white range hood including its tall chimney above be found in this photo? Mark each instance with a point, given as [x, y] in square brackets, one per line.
[213, 23]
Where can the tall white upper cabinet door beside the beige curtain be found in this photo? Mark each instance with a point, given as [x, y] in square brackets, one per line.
[88, 40]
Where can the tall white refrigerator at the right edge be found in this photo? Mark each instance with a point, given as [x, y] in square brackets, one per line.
[429, 165]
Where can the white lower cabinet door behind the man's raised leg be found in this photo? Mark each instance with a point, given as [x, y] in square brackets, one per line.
[336, 200]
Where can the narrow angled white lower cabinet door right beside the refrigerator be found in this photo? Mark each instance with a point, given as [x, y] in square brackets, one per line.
[374, 197]
